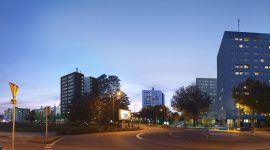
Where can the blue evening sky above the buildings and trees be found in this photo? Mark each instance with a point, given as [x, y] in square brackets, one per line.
[147, 43]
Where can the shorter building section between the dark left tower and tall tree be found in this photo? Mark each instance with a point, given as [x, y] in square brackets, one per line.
[90, 86]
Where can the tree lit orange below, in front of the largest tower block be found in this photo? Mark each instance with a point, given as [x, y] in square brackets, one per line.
[254, 95]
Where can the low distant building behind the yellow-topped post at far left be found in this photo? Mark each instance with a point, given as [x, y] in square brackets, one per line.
[20, 114]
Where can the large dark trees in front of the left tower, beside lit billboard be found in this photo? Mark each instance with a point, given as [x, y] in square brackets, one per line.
[100, 108]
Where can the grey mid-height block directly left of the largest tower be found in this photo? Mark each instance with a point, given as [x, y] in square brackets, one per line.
[209, 86]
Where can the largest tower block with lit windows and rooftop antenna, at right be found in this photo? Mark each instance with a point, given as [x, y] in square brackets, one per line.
[241, 55]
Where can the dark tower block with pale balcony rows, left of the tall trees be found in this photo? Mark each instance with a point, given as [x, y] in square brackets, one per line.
[72, 90]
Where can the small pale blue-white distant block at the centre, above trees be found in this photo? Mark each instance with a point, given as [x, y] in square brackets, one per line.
[152, 97]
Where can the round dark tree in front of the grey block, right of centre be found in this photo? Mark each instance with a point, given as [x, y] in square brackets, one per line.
[191, 101]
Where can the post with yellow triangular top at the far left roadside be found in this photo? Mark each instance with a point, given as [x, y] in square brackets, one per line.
[14, 89]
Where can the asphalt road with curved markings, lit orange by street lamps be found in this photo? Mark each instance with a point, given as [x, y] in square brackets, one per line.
[148, 139]
